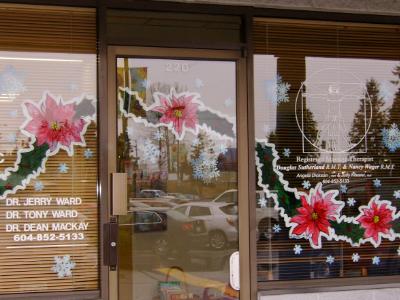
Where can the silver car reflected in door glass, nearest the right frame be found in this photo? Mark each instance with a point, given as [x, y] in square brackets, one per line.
[220, 219]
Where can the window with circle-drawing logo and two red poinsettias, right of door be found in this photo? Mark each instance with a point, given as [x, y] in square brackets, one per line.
[327, 100]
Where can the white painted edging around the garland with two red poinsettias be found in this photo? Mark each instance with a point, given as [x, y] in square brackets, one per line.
[343, 218]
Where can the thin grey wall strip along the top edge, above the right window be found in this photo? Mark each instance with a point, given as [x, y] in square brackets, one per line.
[387, 7]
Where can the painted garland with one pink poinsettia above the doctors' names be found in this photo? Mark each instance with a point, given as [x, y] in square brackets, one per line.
[52, 125]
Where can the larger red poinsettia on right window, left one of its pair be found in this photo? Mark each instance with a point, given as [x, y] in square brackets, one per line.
[317, 210]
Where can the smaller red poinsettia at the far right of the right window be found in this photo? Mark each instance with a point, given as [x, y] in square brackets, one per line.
[376, 219]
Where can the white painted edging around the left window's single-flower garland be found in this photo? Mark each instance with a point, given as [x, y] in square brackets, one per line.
[49, 153]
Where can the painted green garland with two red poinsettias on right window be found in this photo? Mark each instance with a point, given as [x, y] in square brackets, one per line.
[317, 215]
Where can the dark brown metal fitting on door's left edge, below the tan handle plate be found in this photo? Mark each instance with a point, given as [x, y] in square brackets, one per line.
[110, 244]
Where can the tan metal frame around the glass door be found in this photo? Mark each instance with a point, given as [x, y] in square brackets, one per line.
[243, 144]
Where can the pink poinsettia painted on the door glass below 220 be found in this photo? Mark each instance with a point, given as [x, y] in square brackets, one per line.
[180, 110]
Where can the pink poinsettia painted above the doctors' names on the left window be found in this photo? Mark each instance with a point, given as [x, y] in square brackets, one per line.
[54, 124]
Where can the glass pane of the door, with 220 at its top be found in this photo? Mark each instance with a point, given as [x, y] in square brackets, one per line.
[176, 130]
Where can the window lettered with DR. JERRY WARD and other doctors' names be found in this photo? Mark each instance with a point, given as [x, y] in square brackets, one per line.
[48, 152]
